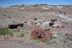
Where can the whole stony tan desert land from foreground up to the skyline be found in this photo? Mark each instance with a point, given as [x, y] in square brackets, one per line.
[36, 26]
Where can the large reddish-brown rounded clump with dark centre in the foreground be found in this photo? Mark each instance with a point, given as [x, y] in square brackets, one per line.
[40, 34]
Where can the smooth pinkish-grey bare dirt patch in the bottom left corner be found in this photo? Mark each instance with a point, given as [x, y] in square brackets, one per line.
[15, 44]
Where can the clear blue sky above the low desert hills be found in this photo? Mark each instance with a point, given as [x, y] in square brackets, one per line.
[6, 3]
